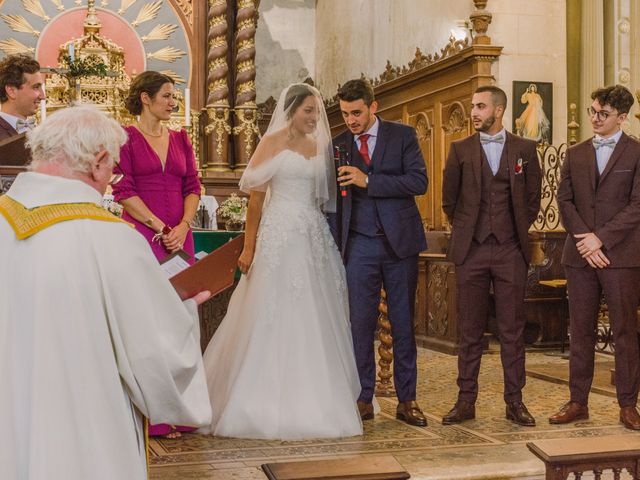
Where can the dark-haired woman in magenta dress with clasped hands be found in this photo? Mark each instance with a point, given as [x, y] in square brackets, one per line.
[160, 189]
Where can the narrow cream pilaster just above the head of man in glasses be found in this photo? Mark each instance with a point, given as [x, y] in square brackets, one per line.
[592, 74]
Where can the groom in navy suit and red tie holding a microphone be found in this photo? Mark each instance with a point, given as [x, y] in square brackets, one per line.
[382, 234]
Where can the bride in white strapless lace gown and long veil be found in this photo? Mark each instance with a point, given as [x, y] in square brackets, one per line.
[281, 364]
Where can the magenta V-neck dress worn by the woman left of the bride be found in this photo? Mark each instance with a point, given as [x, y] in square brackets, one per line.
[162, 191]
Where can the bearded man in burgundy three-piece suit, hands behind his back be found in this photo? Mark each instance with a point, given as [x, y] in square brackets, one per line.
[491, 195]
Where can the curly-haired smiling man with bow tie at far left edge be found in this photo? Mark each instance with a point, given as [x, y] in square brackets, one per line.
[21, 89]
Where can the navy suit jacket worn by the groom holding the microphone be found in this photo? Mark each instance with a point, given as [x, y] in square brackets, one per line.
[398, 174]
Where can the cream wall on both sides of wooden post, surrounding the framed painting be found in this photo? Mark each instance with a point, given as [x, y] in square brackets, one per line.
[359, 36]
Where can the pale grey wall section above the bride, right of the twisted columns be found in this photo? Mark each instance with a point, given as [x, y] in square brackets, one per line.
[285, 45]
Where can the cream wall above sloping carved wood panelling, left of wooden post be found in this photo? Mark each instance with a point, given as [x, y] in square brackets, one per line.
[359, 36]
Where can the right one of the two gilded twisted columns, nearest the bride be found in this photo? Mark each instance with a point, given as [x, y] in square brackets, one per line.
[246, 110]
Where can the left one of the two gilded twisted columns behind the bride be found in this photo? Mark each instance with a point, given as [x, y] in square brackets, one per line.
[218, 126]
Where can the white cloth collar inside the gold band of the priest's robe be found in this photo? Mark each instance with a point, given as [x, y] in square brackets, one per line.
[33, 189]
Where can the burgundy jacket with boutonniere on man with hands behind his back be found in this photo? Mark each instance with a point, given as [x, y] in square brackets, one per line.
[461, 190]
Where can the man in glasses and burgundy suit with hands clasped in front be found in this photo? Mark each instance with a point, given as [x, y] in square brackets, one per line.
[599, 201]
